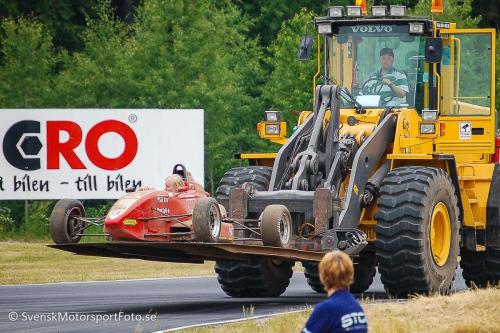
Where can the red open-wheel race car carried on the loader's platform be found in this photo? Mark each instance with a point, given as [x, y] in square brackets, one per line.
[187, 214]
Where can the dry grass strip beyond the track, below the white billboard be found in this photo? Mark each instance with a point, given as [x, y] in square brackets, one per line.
[22, 263]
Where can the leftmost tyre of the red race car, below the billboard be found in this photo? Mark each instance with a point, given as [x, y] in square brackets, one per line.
[63, 225]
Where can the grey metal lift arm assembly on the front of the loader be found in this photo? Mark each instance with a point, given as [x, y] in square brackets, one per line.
[307, 174]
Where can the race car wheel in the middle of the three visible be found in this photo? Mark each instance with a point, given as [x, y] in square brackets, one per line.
[207, 220]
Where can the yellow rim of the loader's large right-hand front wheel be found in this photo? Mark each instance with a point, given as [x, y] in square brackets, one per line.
[440, 234]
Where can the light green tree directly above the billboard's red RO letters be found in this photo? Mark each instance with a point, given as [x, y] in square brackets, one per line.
[100, 75]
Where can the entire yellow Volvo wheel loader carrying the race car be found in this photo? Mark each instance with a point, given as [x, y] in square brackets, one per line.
[396, 164]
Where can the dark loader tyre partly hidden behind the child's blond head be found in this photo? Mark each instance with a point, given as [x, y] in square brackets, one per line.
[364, 271]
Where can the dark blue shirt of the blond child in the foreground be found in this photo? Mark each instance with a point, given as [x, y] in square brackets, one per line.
[341, 312]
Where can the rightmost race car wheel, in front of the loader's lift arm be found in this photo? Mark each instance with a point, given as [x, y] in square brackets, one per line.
[276, 226]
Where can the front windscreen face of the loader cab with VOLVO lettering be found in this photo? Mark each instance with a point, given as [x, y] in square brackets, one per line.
[360, 53]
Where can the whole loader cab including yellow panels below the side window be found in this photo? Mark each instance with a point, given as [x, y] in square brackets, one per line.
[447, 74]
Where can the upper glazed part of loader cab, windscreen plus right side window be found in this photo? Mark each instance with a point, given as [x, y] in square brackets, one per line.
[439, 67]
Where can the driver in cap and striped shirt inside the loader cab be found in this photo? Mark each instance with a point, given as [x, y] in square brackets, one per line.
[388, 82]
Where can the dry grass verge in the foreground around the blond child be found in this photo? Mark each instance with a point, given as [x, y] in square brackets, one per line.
[464, 312]
